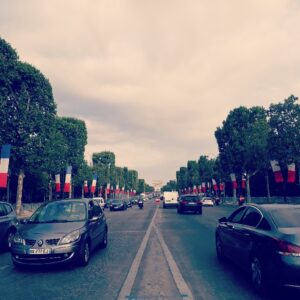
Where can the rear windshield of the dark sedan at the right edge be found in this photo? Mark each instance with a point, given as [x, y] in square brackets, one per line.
[286, 217]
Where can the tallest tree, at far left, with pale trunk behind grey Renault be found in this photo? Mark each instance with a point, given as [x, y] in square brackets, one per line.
[27, 102]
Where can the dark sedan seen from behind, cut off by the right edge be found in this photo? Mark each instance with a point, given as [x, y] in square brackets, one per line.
[265, 241]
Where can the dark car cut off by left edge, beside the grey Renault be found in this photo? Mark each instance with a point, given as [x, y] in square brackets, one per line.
[8, 224]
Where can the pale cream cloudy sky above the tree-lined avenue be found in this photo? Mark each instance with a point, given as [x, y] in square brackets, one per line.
[154, 79]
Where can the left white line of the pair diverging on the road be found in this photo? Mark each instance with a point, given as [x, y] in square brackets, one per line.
[129, 281]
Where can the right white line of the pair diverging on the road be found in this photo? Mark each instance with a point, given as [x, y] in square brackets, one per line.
[180, 282]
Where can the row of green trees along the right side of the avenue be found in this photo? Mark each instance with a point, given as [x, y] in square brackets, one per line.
[247, 140]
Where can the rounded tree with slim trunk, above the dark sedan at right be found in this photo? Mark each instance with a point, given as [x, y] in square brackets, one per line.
[243, 142]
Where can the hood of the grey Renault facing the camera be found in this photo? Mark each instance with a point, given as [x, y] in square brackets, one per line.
[49, 230]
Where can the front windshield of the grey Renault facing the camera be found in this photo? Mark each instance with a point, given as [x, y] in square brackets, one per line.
[60, 212]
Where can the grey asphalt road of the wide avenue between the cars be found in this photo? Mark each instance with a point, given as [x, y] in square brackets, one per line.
[152, 253]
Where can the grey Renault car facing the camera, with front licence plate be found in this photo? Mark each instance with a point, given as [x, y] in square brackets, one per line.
[58, 232]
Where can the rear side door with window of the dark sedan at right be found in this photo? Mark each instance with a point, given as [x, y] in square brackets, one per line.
[244, 235]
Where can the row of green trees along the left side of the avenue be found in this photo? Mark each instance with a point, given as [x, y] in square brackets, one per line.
[43, 143]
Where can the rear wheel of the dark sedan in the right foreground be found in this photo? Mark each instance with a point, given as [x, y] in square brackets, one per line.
[258, 278]
